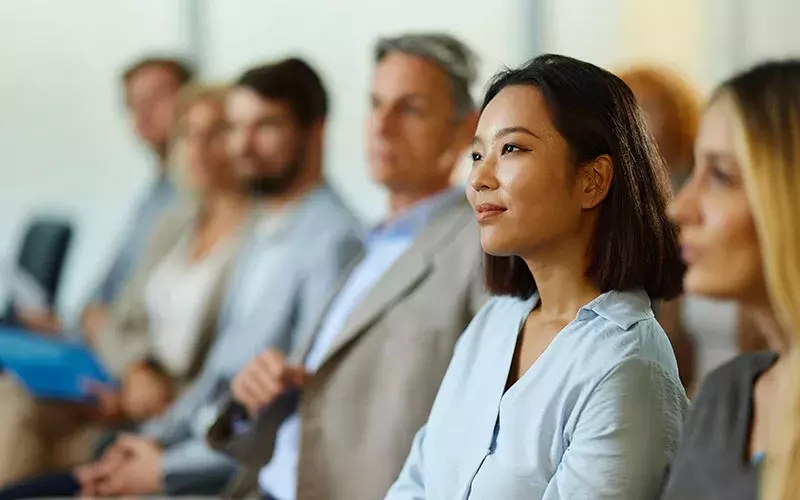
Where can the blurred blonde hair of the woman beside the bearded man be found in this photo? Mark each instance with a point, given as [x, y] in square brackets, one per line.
[191, 95]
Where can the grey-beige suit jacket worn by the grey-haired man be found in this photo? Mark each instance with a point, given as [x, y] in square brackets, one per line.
[359, 412]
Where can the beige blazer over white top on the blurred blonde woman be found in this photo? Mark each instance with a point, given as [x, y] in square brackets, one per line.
[126, 337]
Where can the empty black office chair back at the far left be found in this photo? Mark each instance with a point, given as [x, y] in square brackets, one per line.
[42, 255]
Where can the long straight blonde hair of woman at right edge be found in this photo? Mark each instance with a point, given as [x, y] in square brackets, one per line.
[766, 100]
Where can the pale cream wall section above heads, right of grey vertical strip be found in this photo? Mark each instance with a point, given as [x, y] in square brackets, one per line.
[705, 41]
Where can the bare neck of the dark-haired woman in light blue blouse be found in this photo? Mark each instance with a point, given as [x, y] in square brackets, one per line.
[560, 275]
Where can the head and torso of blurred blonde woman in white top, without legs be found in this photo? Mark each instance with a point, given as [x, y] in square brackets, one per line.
[164, 323]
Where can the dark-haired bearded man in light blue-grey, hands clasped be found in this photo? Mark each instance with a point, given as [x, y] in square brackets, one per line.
[302, 239]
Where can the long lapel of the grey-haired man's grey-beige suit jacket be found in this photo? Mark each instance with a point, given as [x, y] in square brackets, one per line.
[410, 269]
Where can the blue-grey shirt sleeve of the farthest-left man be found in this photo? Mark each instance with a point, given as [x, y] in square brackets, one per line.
[159, 197]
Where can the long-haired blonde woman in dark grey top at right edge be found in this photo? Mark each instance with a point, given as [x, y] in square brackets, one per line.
[740, 221]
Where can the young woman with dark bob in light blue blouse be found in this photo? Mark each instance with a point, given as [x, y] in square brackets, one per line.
[566, 387]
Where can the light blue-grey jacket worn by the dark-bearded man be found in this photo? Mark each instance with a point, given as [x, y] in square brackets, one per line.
[281, 282]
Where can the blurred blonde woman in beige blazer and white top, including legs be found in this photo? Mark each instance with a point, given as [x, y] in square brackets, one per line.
[161, 326]
